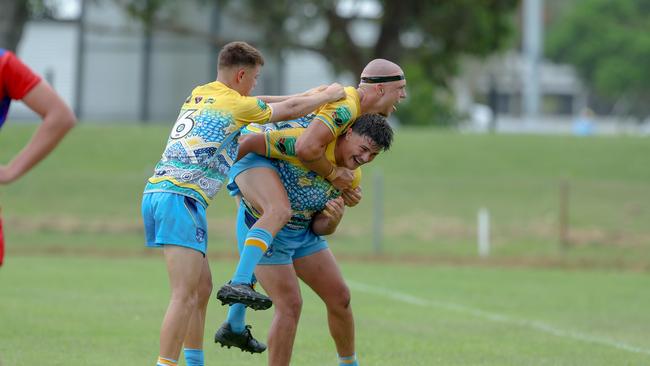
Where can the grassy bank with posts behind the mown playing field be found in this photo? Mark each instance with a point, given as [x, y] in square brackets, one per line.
[434, 184]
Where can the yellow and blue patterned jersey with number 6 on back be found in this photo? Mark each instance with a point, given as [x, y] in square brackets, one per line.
[203, 142]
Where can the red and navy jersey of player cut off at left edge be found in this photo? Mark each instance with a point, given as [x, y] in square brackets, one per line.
[16, 80]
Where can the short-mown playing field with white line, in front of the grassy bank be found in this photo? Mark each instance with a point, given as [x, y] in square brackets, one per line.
[94, 310]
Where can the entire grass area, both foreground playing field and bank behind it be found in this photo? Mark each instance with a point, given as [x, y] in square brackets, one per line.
[78, 287]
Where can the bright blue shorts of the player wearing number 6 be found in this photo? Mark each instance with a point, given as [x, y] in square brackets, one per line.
[174, 219]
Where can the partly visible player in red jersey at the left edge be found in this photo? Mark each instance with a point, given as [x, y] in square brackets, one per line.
[19, 82]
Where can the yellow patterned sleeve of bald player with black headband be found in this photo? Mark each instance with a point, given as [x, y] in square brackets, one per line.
[339, 115]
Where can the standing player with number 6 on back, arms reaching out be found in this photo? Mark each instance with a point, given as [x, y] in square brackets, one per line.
[199, 153]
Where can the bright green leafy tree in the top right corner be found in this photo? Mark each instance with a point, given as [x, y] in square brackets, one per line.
[608, 43]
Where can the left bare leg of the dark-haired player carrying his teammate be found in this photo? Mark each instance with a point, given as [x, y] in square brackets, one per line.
[281, 283]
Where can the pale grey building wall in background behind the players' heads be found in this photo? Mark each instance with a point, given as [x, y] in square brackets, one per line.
[113, 68]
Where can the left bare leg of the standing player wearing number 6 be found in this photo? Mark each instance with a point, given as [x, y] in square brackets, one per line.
[184, 266]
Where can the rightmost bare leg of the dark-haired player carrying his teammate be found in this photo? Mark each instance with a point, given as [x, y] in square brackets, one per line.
[320, 272]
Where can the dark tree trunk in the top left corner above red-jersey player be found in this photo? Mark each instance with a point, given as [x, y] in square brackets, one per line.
[13, 17]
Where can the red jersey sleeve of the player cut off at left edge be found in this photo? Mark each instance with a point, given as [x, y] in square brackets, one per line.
[17, 78]
